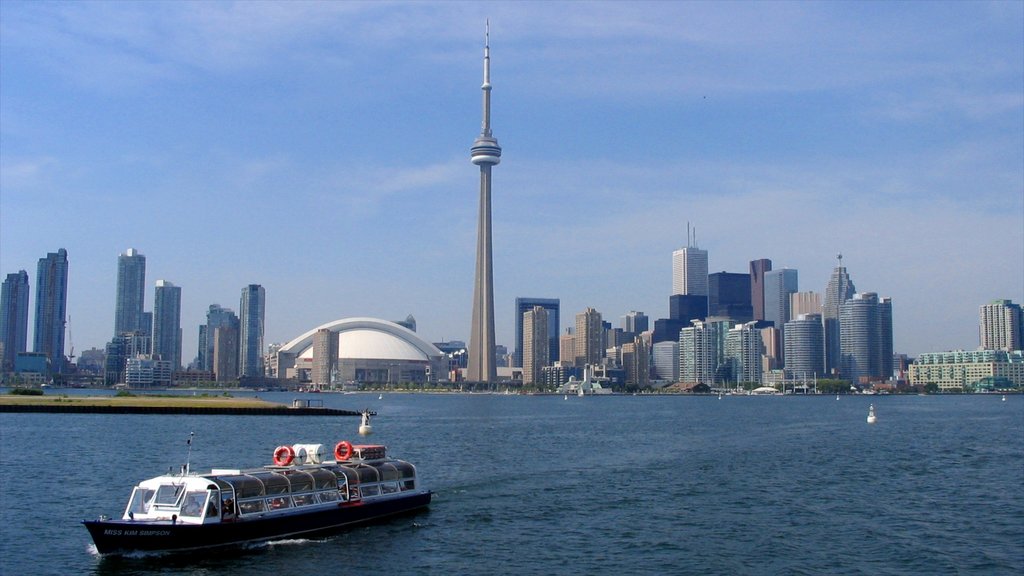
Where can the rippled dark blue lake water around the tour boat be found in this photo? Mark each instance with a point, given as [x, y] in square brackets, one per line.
[543, 485]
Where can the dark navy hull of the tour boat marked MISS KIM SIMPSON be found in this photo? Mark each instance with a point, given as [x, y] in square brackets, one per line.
[122, 537]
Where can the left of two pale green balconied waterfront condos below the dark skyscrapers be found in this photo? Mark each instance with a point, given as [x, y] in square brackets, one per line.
[702, 352]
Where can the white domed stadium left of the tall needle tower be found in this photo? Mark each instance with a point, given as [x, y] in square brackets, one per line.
[368, 350]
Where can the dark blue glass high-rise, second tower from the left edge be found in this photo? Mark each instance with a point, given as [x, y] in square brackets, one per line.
[52, 308]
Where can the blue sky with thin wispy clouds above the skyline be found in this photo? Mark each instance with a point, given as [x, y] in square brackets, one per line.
[322, 150]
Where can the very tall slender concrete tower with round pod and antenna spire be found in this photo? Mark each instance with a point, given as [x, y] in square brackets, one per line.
[486, 154]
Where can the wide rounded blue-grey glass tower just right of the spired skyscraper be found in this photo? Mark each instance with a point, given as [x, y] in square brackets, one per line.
[866, 339]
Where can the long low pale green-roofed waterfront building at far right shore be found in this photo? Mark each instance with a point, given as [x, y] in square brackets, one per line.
[970, 371]
